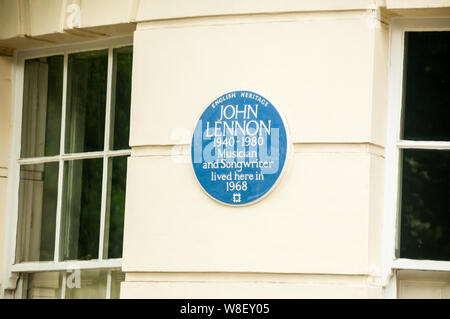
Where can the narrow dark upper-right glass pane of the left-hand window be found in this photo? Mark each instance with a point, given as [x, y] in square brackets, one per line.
[121, 99]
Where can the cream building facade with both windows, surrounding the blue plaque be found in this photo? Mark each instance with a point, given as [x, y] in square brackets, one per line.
[99, 101]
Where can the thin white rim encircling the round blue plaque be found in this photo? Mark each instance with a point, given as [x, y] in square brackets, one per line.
[286, 161]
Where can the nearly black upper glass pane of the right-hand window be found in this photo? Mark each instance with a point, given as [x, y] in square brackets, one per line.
[427, 88]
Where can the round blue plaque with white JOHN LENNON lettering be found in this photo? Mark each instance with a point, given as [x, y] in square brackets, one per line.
[239, 147]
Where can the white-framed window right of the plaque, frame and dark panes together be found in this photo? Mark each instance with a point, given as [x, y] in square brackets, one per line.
[417, 191]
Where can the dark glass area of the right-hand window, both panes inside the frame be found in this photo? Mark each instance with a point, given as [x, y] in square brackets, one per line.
[425, 181]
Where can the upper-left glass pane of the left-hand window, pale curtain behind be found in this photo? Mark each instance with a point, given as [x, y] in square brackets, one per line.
[42, 98]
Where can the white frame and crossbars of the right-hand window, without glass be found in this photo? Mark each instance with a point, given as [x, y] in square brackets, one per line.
[393, 147]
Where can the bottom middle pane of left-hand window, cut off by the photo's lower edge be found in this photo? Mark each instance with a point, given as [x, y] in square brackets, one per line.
[92, 285]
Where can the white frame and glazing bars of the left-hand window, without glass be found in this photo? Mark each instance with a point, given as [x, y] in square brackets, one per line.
[11, 270]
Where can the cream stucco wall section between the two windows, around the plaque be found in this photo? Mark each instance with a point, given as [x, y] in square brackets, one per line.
[326, 72]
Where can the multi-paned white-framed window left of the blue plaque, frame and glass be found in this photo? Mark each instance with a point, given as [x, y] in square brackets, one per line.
[71, 170]
